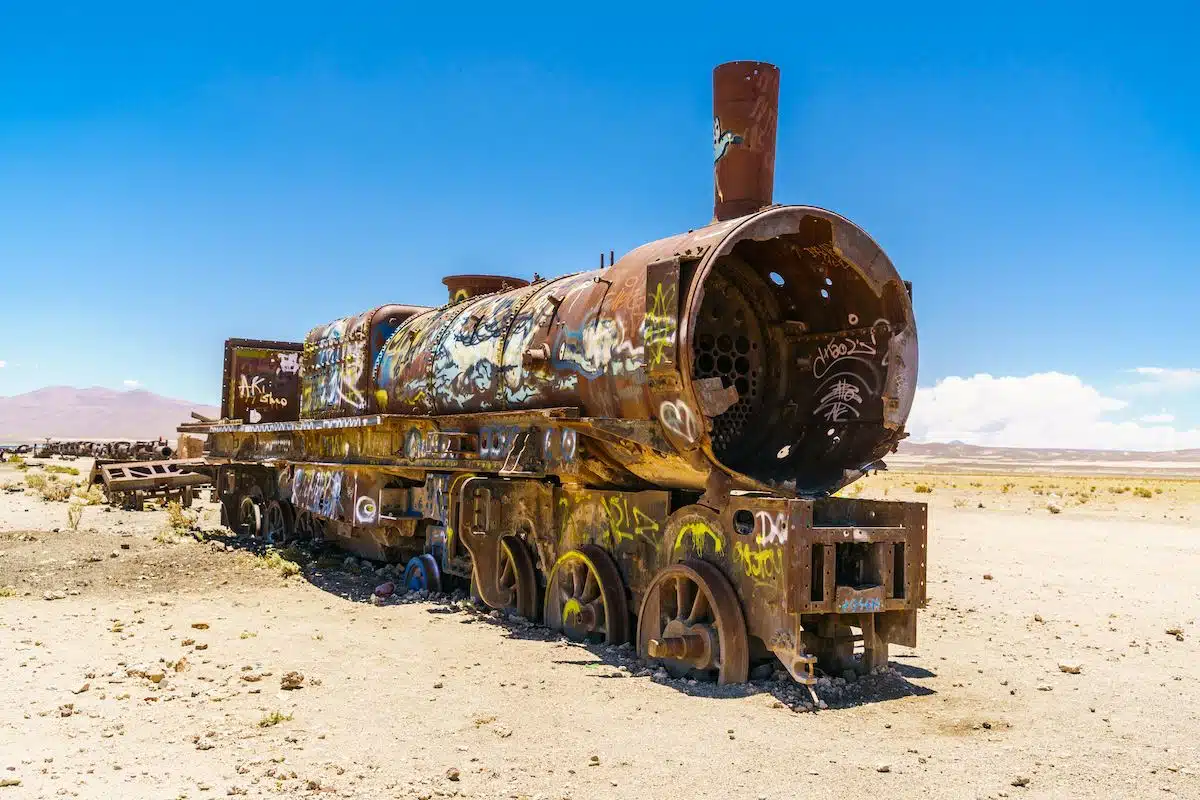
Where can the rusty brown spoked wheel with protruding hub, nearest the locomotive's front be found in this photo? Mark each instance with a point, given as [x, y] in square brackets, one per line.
[692, 621]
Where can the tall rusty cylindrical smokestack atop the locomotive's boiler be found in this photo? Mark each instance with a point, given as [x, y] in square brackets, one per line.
[746, 111]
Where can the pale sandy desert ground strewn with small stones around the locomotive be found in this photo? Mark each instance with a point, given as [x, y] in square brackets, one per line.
[145, 660]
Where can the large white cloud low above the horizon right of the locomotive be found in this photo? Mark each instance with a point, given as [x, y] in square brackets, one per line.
[1048, 410]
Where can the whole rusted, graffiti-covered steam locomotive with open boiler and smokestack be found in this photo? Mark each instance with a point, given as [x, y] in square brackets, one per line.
[641, 453]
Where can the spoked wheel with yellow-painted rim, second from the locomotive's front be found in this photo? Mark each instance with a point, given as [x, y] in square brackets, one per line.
[586, 598]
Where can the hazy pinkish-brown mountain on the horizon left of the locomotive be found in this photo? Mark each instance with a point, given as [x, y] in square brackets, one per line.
[95, 413]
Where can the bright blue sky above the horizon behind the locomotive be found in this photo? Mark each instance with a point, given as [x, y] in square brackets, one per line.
[173, 178]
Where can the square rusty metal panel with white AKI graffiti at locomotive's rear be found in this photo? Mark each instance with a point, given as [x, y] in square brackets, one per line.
[262, 381]
